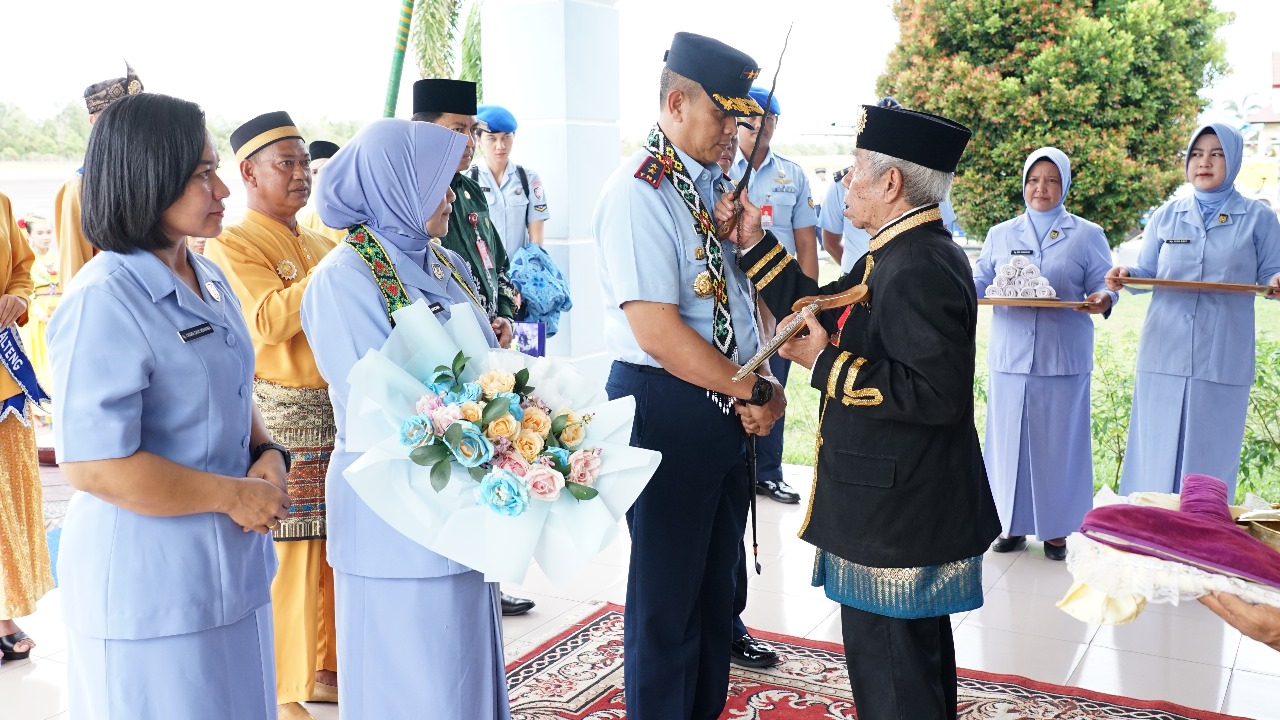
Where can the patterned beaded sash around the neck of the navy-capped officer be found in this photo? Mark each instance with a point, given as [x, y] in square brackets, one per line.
[723, 322]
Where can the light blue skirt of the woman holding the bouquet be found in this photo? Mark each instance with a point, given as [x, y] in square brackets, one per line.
[420, 648]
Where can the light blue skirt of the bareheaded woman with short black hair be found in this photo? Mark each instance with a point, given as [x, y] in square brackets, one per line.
[216, 675]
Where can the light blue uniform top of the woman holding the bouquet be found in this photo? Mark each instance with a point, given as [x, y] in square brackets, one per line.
[345, 317]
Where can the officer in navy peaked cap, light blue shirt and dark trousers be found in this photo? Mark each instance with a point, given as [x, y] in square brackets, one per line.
[679, 322]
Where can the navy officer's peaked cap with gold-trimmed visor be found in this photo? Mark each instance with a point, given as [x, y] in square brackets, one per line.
[724, 72]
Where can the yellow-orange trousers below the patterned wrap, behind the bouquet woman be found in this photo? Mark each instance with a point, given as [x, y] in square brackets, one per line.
[304, 613]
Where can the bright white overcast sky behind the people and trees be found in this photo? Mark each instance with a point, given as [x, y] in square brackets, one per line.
[332, 58]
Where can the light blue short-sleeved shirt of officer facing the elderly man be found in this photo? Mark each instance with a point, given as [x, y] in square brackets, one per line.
[650, 250]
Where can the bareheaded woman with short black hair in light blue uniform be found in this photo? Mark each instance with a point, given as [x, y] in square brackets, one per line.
[166, 591]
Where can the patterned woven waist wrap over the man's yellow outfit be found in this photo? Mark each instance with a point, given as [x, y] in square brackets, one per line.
[300, 420]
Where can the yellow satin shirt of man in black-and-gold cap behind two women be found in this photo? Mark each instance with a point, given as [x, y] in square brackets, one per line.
[258, 254]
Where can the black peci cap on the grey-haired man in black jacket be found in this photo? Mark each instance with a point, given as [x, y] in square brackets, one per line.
[918, 138]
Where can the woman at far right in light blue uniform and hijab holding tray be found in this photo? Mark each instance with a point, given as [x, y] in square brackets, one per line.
[1191, 394]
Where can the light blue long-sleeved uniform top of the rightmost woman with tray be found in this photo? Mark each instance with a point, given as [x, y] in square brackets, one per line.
[1203, 335]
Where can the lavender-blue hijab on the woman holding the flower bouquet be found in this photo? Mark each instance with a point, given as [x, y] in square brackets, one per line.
[391, 179]
